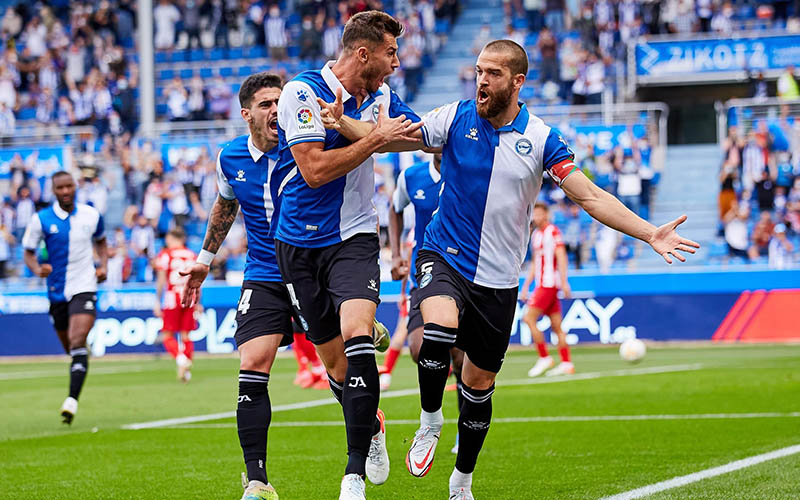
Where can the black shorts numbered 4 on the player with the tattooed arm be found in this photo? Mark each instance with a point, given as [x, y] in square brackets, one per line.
[264, 309]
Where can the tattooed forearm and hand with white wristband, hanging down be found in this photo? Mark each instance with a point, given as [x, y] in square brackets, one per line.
[223, 213]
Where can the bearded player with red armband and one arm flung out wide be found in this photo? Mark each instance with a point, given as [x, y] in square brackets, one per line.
[494, 154]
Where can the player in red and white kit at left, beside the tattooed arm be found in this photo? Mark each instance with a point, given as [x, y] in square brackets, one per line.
[169, 262]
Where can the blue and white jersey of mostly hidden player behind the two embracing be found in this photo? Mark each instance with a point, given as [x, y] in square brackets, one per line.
[418, 185]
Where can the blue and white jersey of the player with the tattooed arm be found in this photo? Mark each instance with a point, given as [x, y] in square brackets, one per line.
[251, 176]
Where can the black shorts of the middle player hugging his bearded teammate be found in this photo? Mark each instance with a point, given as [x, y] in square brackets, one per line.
[320, 279]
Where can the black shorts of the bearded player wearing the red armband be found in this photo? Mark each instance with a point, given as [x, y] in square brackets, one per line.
[486, 315]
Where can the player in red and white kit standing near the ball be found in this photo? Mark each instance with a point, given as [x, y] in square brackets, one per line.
[549, 269]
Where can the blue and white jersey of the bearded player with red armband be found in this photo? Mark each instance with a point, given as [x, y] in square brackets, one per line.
[491, 181]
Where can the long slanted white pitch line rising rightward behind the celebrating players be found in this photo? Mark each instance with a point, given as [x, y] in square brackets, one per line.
[170, 422]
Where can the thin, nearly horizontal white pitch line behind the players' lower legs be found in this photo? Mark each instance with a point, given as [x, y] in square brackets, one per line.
[517, 420]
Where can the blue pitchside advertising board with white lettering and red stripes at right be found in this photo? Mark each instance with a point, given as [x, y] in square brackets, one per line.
[741, 306]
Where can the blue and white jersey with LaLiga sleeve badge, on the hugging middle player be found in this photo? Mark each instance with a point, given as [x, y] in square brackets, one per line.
[342, 208]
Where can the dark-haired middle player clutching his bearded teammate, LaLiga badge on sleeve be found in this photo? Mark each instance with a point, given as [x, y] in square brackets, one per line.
[326, 239]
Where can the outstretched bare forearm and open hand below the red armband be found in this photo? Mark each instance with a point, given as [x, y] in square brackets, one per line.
[610, 211]
